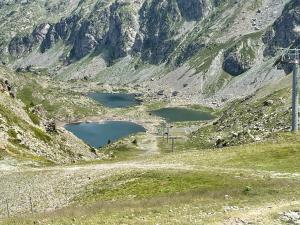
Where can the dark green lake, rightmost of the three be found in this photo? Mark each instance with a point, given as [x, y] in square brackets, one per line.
[182, 115]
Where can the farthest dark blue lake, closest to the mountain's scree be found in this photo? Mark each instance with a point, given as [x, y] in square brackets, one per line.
[115, 100]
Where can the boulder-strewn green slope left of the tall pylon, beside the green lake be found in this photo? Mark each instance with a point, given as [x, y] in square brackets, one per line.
[247, 120]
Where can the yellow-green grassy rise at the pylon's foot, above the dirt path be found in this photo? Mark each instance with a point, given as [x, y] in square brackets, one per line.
[279, 154]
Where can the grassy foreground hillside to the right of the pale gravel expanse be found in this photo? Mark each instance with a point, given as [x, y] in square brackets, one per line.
[252, 183]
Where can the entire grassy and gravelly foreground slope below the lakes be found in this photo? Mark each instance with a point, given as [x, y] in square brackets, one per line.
[249, 184]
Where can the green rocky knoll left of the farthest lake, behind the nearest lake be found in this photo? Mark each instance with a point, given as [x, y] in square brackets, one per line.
[57, 102]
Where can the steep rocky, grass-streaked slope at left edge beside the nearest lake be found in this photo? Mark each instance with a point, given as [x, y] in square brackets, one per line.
[29, 136]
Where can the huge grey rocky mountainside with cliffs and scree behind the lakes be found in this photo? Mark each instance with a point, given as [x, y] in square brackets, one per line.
[200, 49]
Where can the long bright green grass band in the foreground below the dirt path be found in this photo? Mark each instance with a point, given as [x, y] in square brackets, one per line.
[153, 184]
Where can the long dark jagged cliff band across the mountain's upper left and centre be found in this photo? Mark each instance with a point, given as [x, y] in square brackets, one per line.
[117, 28]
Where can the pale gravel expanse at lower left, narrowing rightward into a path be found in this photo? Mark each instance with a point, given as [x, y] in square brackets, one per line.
[55, 187]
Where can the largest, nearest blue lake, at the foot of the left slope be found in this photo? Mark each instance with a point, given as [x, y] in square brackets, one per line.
[99, 134]
